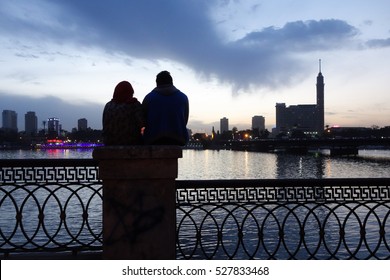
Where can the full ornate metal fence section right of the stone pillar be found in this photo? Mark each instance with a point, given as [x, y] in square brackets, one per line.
[284, 219]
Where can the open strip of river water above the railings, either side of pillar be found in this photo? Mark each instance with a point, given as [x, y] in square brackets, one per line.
[225, 164]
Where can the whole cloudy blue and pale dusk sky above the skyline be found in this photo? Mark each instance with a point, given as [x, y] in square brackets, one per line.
[232, 58]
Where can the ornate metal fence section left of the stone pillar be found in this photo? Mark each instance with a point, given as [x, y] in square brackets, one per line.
[50, 205]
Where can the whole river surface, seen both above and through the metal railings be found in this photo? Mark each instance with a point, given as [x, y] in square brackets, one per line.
[224, 164]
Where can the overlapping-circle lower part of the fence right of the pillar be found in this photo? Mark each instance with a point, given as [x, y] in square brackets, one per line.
[340, 230]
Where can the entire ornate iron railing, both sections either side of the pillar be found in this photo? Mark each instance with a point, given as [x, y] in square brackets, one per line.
[55, 205]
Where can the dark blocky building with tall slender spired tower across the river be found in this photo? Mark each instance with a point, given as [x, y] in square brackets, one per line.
[308, 119]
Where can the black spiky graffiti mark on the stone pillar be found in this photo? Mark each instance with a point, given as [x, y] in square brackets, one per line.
[133, 218]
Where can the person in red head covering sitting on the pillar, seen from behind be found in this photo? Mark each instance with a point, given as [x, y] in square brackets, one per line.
[123, 117]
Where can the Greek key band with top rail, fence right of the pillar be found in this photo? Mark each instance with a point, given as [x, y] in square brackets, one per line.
[283, 190]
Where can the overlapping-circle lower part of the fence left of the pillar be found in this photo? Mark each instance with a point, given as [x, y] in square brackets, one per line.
[50, 217]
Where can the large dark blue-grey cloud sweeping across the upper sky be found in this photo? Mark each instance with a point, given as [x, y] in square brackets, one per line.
[183, 31]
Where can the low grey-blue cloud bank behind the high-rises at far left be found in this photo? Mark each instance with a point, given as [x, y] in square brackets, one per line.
[48, 107]
